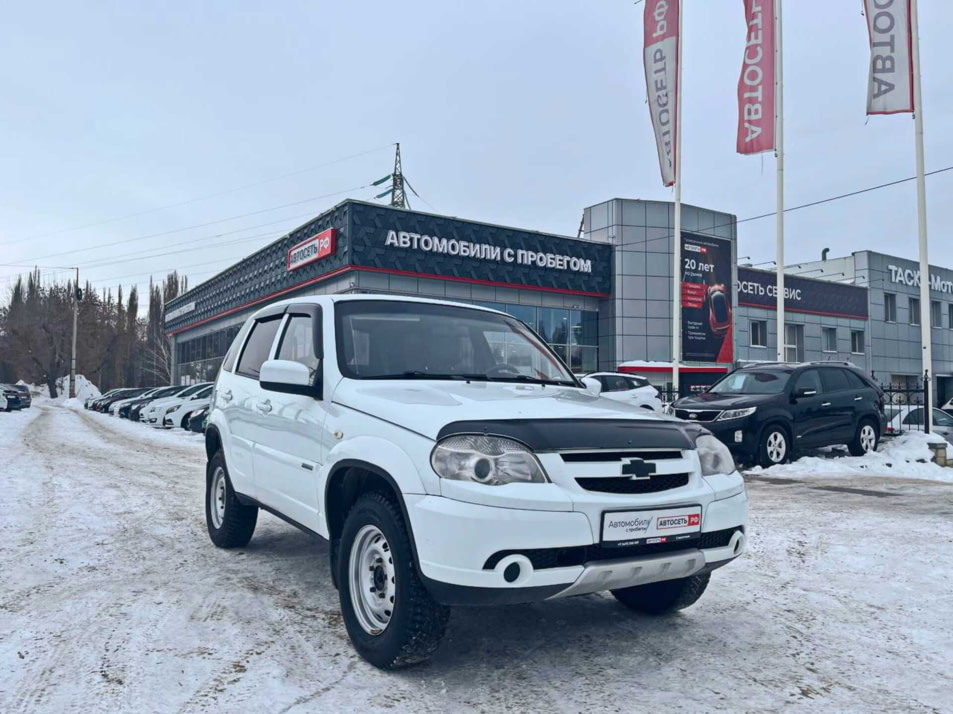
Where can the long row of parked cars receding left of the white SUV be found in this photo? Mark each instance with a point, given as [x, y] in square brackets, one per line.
[183, 406]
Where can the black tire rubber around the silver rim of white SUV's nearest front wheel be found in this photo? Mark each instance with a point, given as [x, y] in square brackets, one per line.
[417, 623]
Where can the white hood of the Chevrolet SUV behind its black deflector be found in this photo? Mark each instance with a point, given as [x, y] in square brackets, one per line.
[427, 406]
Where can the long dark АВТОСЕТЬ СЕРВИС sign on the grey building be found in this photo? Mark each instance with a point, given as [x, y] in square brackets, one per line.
[758, 288]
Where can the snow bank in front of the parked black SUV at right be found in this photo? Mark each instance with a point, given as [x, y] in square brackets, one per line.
[907, 456]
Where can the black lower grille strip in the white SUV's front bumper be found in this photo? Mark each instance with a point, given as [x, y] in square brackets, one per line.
[543, 558]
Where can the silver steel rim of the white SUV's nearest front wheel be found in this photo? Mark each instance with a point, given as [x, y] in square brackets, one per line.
[373, 580]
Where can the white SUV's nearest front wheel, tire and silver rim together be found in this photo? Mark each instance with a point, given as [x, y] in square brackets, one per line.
[391, 619]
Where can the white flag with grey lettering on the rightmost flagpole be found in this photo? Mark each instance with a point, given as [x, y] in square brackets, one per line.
[890, 85]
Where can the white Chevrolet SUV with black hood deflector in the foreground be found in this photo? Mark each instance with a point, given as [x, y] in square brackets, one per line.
[451, 458]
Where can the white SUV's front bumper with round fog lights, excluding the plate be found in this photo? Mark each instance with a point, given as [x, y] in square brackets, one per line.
[465, 551]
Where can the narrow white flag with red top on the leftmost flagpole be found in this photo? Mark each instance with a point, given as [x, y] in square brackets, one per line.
[660, 56]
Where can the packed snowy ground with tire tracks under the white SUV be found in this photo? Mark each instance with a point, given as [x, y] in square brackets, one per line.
[113, 599]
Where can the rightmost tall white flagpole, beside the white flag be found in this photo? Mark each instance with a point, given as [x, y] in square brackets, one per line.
[925, 308]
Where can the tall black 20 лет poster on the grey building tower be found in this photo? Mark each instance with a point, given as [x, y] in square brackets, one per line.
[707, 320]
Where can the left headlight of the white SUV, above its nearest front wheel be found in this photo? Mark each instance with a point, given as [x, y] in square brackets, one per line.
[489, 460]
